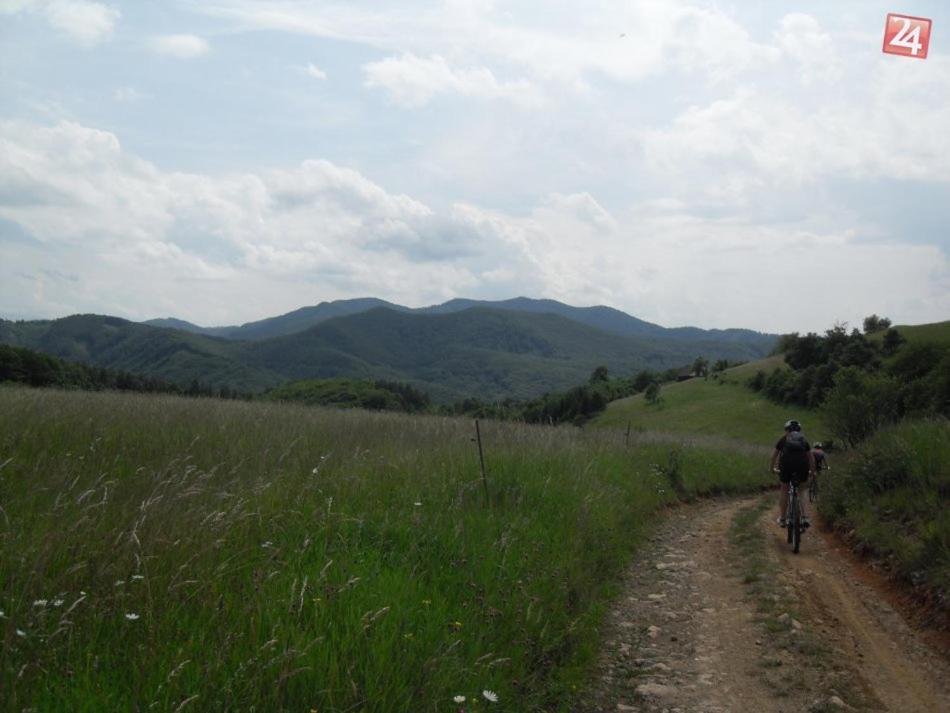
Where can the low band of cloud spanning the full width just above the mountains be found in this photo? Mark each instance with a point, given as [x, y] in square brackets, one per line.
[140, 241]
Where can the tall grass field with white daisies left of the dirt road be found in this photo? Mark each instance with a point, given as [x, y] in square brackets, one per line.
[160, 553]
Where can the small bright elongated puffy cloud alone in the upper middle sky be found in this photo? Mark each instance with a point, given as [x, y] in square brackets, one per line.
[412, 81]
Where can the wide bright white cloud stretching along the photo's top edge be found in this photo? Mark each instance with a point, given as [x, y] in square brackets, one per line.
[562, 44]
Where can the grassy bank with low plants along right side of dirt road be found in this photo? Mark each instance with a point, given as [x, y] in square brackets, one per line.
[891, 494]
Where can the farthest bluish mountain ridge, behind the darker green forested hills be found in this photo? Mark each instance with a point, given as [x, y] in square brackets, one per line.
[605, 318]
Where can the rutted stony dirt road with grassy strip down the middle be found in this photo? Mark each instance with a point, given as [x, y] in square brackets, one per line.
[708, 623]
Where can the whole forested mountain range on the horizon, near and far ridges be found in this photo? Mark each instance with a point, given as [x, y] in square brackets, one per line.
[516, 348]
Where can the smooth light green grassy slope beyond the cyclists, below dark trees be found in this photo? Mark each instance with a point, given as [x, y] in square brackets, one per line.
[717, 407]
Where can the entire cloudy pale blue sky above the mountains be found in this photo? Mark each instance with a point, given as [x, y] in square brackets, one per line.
[718, 164]
